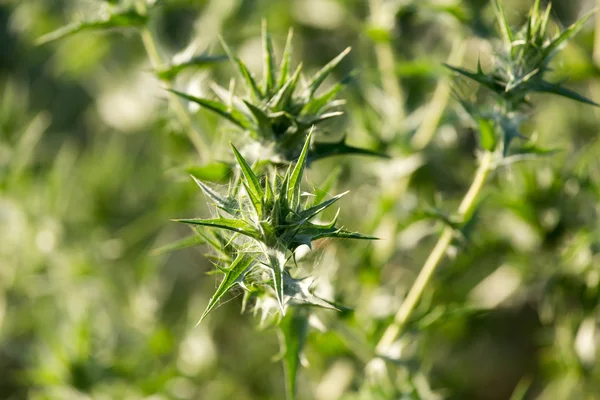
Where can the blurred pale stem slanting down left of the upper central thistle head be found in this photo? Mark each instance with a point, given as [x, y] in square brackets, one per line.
[177, 104]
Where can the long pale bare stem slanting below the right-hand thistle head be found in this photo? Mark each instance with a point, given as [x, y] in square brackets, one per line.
[435, 257]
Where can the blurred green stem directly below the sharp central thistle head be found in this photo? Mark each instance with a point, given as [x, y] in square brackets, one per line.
[293, 328]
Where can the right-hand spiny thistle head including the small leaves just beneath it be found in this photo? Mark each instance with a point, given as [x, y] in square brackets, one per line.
[518, 70]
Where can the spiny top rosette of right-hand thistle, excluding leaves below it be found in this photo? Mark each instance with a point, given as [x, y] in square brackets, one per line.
[524, 59]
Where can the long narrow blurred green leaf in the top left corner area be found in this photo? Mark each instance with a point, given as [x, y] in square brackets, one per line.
[119, 19]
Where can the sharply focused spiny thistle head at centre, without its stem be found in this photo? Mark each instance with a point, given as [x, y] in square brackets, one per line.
[262, 221]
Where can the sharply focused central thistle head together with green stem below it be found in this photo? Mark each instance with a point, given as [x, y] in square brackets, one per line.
[261, 222]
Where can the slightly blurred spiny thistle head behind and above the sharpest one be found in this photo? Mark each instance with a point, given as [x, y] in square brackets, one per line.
[279, 111]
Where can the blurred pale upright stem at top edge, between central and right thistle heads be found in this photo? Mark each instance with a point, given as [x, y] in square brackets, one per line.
[385, 60]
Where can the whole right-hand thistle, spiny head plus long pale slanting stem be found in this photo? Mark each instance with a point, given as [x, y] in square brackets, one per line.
[519, 69]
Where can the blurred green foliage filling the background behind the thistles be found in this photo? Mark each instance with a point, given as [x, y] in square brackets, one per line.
[93, 164]
